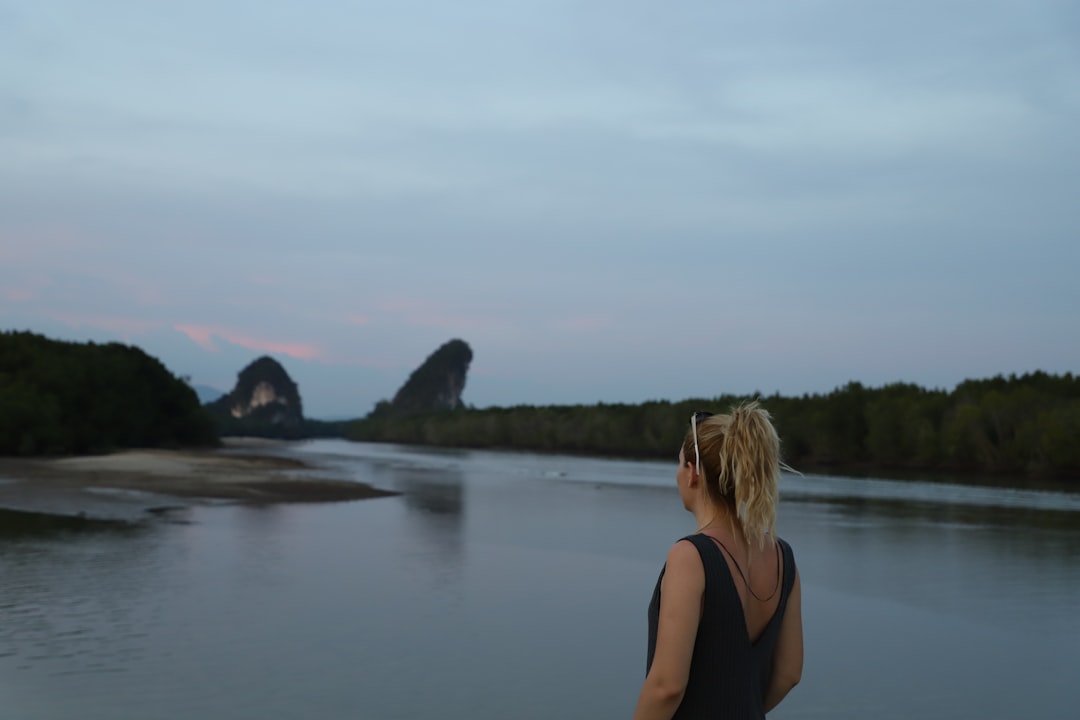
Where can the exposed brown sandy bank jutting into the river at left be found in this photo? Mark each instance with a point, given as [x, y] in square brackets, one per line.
[57, 485]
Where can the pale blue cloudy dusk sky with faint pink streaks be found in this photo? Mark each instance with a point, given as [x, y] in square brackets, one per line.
[611, 201]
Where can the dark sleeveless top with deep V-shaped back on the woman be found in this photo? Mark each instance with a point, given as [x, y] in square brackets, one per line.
[730, 675]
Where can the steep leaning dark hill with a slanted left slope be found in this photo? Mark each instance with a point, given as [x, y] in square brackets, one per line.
[438, 384]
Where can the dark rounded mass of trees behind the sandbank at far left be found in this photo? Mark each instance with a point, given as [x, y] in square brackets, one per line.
[67, 398]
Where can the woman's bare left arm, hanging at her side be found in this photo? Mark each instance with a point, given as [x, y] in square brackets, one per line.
[681, 594]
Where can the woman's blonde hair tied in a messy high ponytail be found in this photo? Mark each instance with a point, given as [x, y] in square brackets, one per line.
[740, 467]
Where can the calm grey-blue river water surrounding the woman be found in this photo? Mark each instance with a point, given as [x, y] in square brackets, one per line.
[515, 587]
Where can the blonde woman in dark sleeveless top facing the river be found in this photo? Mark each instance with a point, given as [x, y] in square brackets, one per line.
[726, 620]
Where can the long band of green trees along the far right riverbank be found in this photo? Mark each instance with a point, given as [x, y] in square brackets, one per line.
[1015, 426]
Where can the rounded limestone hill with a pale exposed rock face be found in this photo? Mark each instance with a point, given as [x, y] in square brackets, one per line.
[265, 401]
